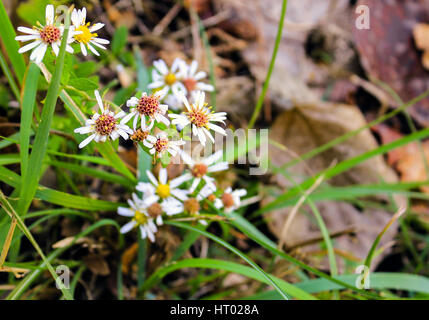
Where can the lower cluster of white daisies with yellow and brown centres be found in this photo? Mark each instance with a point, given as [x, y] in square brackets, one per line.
[162, 197]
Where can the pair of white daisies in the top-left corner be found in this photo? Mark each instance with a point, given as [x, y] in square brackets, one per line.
[51, 34]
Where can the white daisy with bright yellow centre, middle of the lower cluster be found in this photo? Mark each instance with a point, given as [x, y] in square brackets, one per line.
[163, 190]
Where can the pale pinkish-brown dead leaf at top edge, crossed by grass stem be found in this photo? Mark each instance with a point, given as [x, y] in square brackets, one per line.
[294, 71]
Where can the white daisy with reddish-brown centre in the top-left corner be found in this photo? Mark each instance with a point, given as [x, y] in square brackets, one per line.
[45, 36]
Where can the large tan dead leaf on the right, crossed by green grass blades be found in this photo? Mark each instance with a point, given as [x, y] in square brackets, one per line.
[304, 128]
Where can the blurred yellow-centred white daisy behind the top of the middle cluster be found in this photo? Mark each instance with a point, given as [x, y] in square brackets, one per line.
[168, 79]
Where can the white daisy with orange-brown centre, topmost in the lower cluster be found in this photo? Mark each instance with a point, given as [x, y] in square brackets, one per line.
[200, 169]
